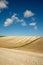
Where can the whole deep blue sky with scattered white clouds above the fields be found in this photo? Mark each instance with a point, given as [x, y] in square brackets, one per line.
[21, 17]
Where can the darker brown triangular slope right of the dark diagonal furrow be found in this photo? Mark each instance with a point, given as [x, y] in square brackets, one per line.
[35, 46]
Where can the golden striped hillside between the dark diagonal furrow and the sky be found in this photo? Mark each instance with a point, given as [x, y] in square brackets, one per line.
[21, 41]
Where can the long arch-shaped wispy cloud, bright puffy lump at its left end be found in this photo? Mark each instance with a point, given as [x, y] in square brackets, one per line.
[14, 18]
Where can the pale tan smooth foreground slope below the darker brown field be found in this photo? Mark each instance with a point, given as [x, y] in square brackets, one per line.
[18, 57]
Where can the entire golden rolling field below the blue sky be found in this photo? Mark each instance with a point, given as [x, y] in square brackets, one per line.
[21, 50]
